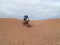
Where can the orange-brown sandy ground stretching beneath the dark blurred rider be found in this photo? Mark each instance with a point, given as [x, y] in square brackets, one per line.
[13, 32]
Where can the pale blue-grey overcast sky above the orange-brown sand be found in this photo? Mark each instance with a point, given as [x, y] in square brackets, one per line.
[35, 9]
